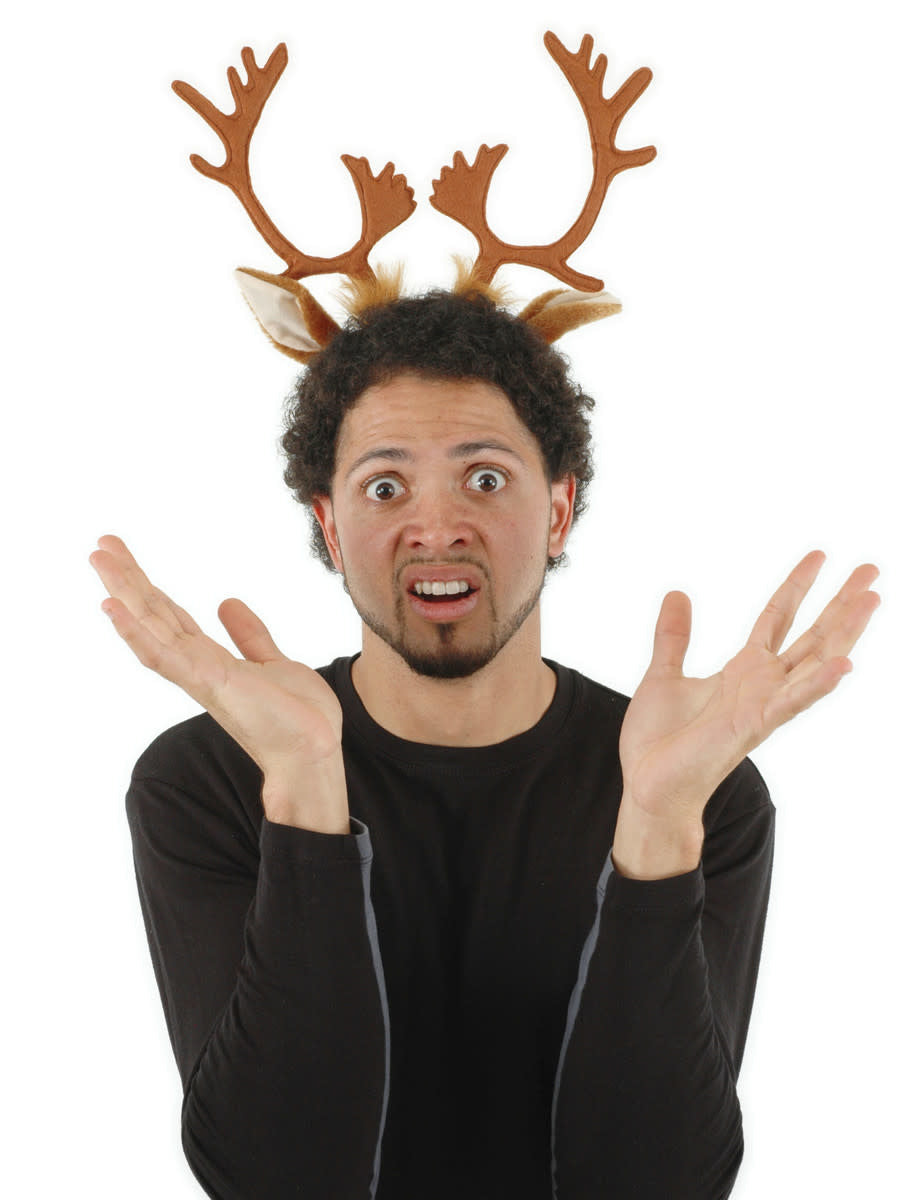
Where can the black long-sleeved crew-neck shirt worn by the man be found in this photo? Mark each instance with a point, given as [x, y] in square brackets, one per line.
[462, 998]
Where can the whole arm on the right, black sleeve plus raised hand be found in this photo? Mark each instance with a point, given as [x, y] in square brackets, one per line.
[645, 1102]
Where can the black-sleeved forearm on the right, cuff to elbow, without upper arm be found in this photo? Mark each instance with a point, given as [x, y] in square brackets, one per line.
[646, 1103]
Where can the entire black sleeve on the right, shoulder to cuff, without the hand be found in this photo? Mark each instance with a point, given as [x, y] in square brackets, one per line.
[645, 1103]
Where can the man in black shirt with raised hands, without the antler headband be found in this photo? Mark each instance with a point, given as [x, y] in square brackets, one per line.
[446, 919]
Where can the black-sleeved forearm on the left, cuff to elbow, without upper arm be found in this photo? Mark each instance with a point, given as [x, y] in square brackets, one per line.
[290, 1094]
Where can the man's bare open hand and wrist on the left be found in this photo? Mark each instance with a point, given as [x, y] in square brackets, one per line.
[283, 713]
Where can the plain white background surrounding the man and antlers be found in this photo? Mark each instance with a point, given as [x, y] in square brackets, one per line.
[757, 399]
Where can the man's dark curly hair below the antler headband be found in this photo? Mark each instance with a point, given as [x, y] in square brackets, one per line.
[440, 335]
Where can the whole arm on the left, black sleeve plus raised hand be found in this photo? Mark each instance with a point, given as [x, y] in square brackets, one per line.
[255, 889]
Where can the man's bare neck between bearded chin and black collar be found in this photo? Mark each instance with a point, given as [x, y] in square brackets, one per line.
[506, 698]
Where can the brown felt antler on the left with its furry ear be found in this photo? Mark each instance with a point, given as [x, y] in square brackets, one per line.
[386, 203]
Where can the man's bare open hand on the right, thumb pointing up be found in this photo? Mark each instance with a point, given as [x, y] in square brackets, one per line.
[682, 736]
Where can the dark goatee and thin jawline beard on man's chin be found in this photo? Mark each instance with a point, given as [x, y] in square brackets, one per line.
[454, 658]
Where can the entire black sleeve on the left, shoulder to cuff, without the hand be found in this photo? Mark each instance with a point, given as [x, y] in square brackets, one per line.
[271, 979]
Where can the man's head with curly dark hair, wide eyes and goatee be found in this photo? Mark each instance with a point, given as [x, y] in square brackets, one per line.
[423, 377]
